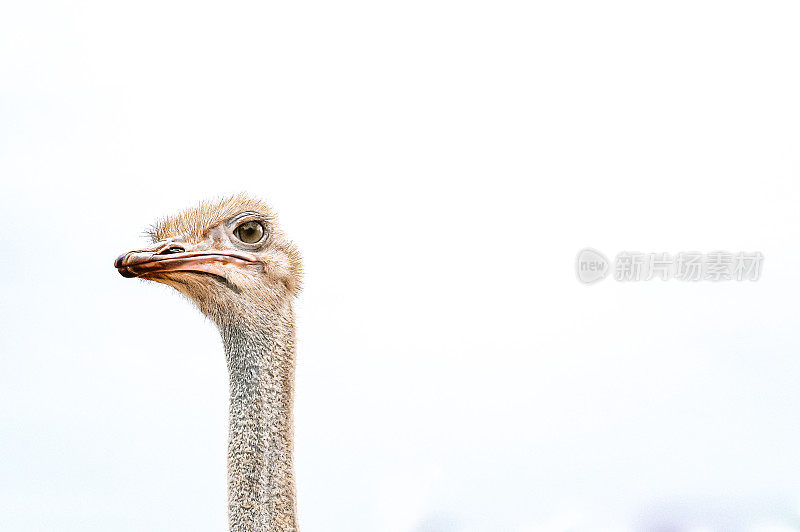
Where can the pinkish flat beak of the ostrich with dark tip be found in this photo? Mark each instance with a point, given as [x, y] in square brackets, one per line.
[170, 256]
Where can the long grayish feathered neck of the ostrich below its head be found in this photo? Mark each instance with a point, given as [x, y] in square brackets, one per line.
[261, 362]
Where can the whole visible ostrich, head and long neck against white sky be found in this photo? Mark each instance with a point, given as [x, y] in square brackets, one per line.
[232, 260]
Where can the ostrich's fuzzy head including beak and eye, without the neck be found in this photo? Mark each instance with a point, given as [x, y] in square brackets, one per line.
[229, 257]
